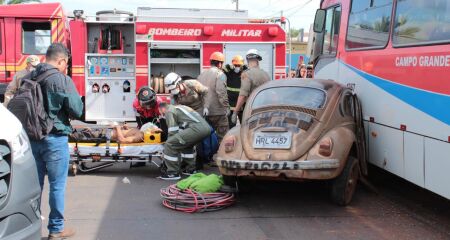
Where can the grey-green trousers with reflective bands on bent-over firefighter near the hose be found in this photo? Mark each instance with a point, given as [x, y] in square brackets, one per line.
[179, 148]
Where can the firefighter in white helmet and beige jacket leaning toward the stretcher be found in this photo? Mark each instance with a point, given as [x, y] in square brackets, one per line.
[190, 92]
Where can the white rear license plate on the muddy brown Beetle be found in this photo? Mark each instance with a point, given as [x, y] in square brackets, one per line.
[272, 140]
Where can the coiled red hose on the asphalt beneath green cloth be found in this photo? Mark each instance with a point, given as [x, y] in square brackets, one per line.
[190, 201]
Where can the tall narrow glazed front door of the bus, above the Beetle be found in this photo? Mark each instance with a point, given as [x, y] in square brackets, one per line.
[325, 51]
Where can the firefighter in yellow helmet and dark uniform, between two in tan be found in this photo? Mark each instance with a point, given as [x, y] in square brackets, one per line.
[233, 73]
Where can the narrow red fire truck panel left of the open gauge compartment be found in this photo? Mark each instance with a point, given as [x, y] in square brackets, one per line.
[78, 49]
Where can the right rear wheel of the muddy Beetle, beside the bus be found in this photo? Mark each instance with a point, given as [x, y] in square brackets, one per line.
[343, 187]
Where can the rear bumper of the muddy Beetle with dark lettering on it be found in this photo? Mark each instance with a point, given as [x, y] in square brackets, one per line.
[319, 169]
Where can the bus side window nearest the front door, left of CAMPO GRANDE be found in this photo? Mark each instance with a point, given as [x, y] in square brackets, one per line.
[369, 23]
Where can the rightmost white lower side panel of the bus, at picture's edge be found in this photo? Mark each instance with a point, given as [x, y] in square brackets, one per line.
[437, 165]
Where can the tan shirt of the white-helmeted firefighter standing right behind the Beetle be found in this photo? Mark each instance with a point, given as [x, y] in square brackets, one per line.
[251, 79]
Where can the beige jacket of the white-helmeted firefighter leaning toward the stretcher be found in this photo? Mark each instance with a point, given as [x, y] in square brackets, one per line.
[192, 94]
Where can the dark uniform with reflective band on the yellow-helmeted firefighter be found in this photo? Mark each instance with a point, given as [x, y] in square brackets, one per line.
[233, 88]
